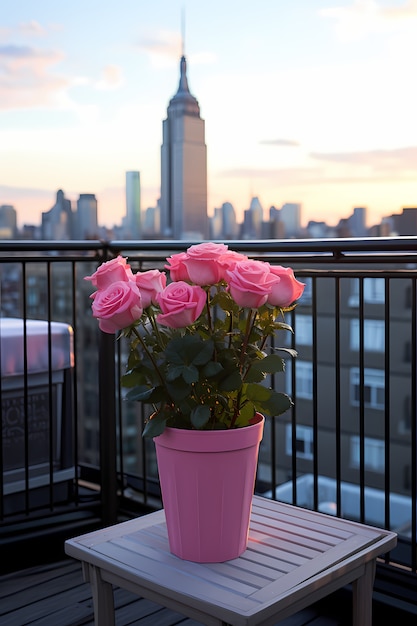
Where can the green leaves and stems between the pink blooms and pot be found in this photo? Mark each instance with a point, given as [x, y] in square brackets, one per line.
[211, 374]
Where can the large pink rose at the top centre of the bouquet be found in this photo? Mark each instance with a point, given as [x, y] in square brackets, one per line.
[202, 263]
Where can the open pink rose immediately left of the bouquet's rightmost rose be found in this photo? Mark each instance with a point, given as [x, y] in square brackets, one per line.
[250, 283]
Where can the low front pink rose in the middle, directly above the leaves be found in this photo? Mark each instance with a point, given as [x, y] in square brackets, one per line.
[181, 304]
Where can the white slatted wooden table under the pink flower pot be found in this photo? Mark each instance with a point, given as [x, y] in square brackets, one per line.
[294, 558]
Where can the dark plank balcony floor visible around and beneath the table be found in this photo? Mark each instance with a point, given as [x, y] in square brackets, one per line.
[56, 594]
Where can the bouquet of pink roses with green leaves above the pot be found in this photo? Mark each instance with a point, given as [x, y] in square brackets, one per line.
[198, 346]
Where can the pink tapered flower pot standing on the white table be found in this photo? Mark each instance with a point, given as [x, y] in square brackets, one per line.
[207, 481]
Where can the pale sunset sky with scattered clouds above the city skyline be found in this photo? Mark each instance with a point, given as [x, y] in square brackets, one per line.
[307, 101]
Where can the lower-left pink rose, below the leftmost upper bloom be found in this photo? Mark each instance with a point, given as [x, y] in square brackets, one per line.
[117, 306]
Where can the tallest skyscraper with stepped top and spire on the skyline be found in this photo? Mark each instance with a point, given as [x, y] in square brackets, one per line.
[184, 167]
